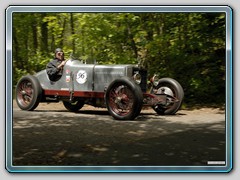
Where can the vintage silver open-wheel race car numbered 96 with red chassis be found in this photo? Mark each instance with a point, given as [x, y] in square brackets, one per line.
[122, 89]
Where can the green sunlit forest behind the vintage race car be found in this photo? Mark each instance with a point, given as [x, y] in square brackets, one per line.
[189, 47]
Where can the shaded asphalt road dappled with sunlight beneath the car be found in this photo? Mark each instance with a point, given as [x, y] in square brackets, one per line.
[51, 136]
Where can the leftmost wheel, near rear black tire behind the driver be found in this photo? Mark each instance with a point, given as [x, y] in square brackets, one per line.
[28, 93]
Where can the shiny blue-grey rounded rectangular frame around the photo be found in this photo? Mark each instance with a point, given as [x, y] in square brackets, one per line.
[84, 9]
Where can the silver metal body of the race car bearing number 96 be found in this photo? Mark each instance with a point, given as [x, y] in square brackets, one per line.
[78, 76]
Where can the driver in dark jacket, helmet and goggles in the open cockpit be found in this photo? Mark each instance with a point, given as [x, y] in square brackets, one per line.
[55, 67]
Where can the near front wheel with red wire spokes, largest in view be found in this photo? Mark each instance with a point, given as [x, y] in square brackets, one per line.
[124, 99]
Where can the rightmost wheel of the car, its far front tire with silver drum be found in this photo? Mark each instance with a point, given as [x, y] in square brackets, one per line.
[176, 91]
